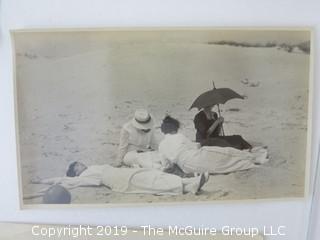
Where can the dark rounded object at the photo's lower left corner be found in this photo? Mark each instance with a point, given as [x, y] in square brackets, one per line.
[56, 195]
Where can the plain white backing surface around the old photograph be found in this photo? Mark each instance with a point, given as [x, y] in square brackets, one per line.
[80, 13]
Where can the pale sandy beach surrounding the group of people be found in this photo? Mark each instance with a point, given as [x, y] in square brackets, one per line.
[72, 108]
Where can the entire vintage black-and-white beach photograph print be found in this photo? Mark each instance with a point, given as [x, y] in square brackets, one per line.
[114, 116]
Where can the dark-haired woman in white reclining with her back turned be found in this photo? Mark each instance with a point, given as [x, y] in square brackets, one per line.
[190, 157]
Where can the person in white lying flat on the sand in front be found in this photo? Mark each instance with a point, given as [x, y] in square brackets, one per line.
[126, 180]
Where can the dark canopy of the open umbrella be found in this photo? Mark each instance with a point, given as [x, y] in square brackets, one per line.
[214, 97]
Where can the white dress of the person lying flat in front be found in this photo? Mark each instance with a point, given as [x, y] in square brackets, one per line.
[124, 180]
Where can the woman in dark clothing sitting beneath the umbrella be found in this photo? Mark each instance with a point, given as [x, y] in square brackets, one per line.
[209, 131]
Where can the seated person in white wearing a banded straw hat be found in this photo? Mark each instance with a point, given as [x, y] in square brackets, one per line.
[138, 136]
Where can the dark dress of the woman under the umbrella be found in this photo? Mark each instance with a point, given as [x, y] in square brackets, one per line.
[202, 125]
